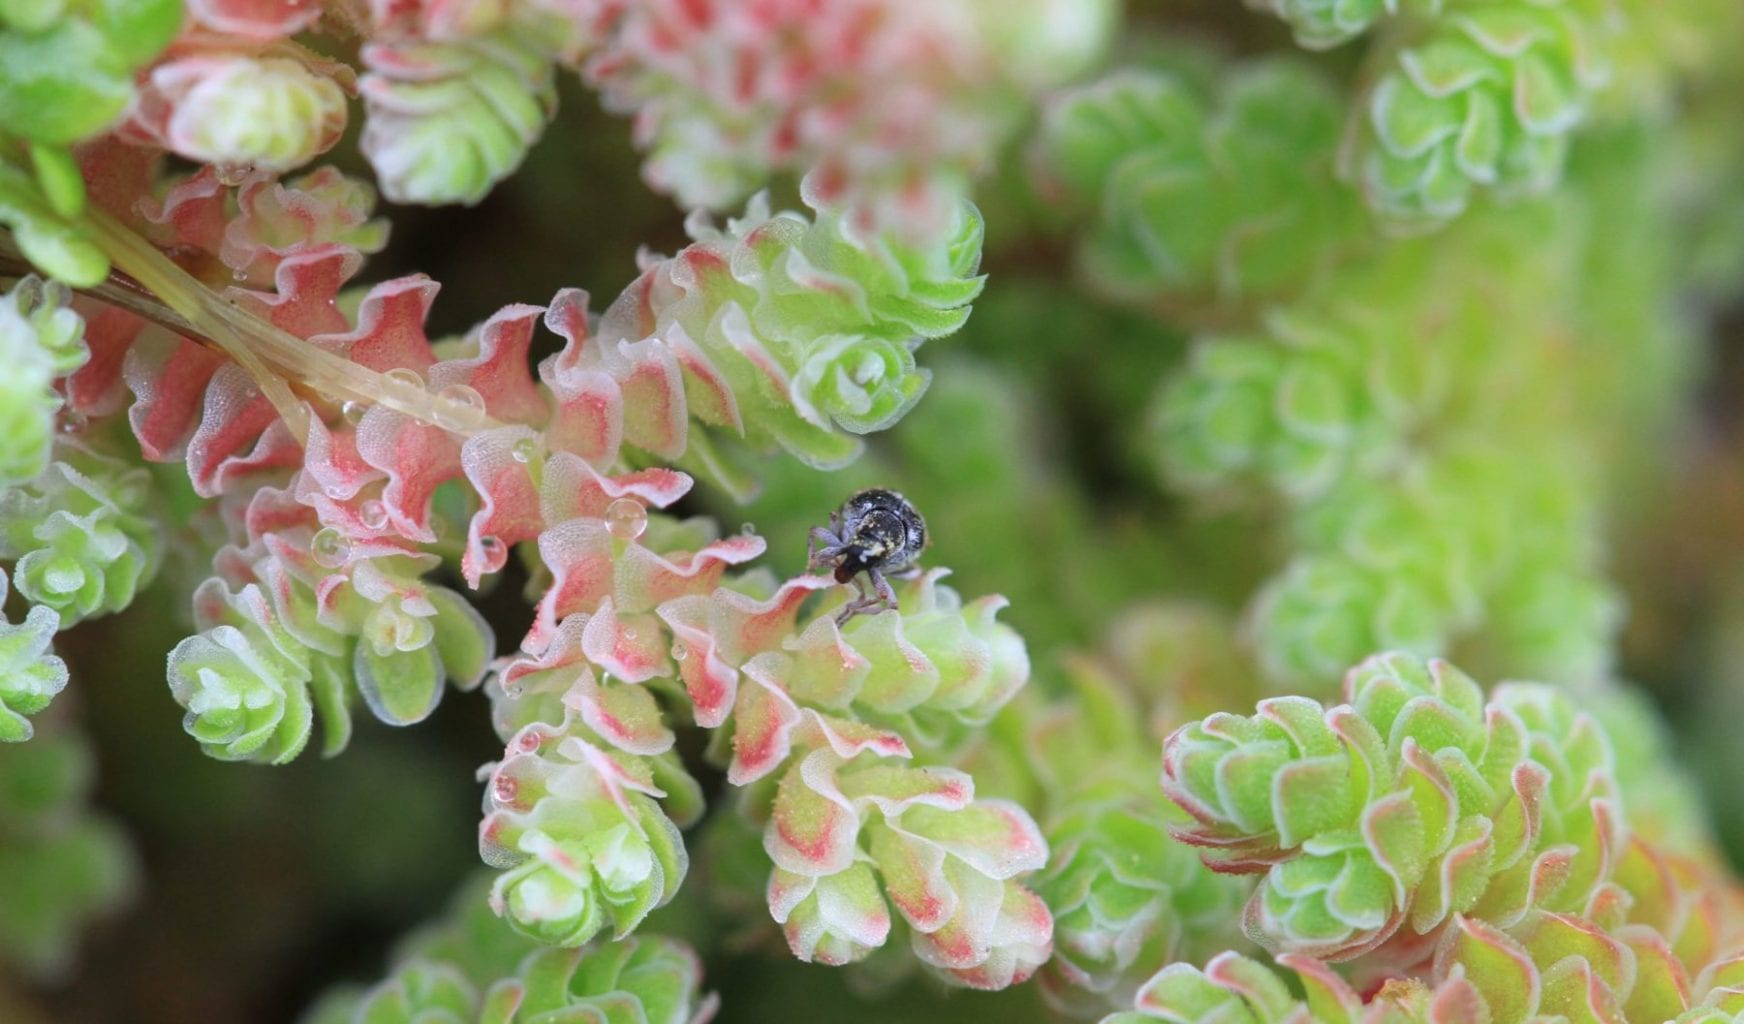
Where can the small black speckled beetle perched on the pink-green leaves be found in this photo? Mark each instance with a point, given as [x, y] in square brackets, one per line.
[876, 533]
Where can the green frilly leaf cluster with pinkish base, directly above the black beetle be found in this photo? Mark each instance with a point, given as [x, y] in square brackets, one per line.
[801, 334]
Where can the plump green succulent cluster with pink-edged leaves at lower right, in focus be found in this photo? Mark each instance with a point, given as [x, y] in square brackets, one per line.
[1415, 802]
